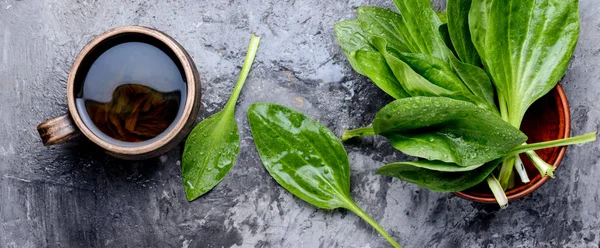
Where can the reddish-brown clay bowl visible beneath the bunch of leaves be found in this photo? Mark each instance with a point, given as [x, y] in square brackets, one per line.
[547, 119]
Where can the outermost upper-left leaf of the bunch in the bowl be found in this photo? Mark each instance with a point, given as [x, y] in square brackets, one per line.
[365, 59]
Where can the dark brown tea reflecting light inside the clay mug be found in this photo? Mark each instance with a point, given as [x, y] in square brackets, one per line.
[132, 92]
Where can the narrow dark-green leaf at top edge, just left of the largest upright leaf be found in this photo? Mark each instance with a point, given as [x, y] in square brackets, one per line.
[458, 27]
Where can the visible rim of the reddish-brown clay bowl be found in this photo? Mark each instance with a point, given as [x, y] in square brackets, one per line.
[526, 189]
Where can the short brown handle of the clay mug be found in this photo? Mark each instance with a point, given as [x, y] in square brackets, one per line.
[57, 130]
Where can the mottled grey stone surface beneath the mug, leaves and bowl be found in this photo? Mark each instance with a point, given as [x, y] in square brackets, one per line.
[72, 195]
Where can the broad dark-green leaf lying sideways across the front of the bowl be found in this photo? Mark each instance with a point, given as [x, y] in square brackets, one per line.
[452, 131]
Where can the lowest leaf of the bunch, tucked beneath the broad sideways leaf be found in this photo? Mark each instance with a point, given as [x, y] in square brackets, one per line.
[440, 181]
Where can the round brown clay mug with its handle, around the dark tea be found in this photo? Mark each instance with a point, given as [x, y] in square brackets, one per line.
[66, 127]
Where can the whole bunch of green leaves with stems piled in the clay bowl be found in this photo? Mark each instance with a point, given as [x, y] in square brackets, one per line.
[462, 85]
